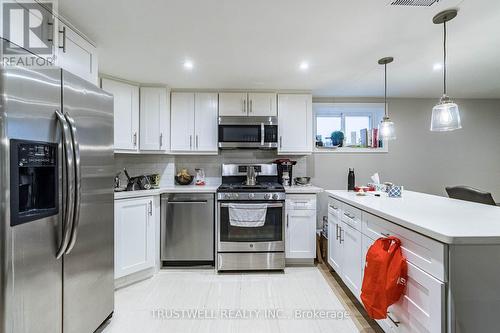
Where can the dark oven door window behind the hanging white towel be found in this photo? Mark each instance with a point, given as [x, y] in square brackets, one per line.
[271, 231]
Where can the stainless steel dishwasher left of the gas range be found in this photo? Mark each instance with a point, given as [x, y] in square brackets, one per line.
[187, 229]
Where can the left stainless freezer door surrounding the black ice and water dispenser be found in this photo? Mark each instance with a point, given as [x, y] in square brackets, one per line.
[30, 274]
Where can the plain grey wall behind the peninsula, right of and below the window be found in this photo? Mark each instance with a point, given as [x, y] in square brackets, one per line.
[422, 160]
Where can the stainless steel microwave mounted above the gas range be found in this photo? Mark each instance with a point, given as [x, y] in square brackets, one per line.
[248, 132]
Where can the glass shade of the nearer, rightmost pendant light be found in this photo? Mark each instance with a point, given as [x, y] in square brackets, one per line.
[445, 116]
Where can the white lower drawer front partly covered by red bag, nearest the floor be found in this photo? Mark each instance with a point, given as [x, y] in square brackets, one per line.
[421, 309]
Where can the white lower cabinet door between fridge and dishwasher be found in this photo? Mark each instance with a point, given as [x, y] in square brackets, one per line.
[134, 235]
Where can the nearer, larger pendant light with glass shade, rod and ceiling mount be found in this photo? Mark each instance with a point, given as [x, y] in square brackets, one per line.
[445, 115]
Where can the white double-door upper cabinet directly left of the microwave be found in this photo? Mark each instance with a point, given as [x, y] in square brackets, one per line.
[194, 123]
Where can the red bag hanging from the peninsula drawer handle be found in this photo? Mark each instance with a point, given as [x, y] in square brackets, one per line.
[384, 280]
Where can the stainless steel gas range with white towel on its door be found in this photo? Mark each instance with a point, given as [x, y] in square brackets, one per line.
[245, 242]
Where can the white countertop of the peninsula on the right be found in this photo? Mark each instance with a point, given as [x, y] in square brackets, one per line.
[447, 220]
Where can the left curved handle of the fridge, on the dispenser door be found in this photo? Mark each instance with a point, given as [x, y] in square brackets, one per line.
[69, 183]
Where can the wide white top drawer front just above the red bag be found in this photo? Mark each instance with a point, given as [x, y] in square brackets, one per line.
[423, 252]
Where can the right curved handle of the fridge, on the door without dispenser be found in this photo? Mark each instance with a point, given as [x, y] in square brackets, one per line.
[78, 182]
